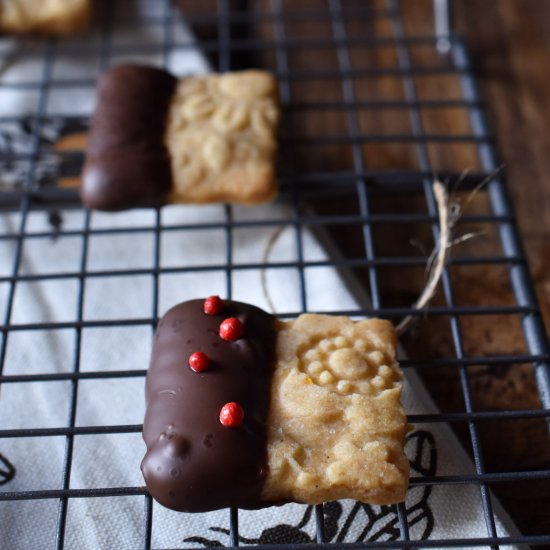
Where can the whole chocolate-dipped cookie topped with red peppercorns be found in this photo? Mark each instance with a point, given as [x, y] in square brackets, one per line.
[245, 410]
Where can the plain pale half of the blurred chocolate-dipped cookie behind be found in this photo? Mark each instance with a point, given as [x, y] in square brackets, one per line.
[221, 138]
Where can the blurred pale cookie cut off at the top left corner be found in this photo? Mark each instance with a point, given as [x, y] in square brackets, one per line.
[59, 17]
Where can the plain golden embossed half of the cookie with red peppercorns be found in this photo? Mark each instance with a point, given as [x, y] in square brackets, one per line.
[336, 425]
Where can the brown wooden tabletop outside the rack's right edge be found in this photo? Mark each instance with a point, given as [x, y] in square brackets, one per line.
[510, 44]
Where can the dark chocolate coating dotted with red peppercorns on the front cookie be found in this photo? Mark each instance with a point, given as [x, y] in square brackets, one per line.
[193, 463]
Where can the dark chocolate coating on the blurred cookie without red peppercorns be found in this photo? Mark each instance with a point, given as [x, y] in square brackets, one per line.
[127, 164]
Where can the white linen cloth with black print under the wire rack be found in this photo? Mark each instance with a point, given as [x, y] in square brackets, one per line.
[440, 511]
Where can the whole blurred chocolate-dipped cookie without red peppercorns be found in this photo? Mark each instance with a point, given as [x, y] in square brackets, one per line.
[211, 139]
